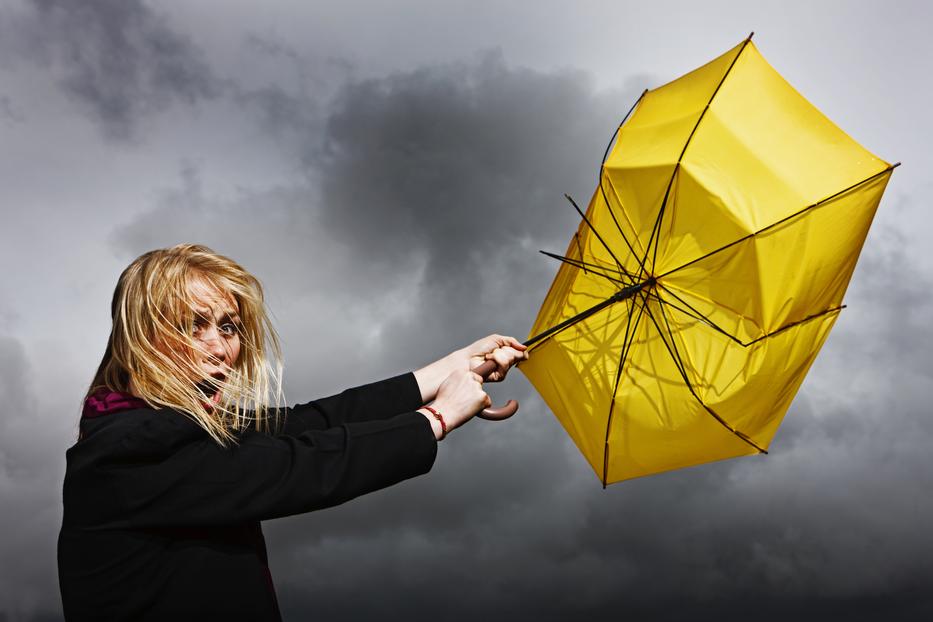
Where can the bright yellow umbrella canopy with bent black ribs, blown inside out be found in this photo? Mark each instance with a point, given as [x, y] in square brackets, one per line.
[705, 274]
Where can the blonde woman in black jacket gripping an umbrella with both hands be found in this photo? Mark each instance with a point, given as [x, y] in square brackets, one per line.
[182, 451]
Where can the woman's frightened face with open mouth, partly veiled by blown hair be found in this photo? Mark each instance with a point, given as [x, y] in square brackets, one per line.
[216, 332]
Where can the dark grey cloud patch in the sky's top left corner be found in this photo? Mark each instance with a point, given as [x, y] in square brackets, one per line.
[119, 60]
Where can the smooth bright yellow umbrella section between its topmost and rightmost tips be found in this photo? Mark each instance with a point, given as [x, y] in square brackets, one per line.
[767, 151]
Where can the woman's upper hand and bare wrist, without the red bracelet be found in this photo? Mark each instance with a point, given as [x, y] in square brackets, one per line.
[505, 351]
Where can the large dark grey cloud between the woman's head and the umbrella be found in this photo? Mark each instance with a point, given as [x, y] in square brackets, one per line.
[465, 166]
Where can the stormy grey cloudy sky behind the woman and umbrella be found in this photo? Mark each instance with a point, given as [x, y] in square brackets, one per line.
[389, 170]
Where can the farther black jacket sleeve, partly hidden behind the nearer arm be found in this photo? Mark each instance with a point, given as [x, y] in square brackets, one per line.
[369, 402]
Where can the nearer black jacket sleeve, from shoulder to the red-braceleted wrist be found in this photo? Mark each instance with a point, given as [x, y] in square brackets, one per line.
[188, 479]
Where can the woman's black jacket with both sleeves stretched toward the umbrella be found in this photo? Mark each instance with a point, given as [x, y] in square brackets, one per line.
[161, 523]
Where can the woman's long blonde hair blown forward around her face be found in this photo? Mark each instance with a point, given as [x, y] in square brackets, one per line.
[151, 342]
